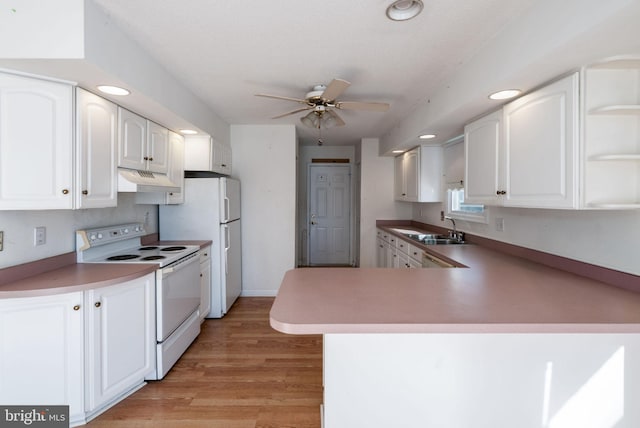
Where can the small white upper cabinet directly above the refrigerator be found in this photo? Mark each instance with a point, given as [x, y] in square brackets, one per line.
[203, 153]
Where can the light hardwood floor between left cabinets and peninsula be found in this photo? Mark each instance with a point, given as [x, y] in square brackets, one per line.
[239, 373]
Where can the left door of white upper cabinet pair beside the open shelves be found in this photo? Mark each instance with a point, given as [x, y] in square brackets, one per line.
[482, 148]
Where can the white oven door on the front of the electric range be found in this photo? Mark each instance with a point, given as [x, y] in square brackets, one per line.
[178, 294]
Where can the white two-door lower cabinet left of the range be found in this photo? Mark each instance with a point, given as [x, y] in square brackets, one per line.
[87, 350]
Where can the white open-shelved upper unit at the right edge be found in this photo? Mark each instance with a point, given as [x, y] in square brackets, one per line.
[611, 146]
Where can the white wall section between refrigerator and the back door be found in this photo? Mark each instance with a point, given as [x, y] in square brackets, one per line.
[264, 159]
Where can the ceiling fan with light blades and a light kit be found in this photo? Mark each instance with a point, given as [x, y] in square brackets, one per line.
[321, 101]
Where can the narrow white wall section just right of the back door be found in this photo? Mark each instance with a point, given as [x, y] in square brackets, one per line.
[376, 198]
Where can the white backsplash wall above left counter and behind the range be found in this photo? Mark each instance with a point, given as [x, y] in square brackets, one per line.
[61, 226]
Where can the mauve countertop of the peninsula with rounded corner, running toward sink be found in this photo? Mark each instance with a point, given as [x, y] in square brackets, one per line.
[495, 293]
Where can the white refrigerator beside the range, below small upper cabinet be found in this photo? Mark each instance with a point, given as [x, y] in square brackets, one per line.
[211, 211]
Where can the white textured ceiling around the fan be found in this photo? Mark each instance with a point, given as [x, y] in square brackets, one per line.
[226, 51]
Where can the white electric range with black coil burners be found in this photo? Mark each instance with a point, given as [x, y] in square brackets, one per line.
[177, 283]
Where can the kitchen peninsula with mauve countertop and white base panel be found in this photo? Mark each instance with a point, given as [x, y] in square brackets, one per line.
[501, 342]
